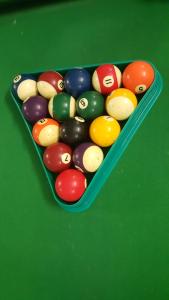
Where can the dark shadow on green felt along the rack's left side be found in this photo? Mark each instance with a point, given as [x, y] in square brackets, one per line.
[30, 149]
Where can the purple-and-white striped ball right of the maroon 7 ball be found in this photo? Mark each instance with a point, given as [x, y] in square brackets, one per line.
[87, 157]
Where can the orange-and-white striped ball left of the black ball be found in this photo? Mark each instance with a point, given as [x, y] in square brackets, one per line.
[45, 132]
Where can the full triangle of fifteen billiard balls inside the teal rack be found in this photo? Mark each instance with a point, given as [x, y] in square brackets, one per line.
[76, 116]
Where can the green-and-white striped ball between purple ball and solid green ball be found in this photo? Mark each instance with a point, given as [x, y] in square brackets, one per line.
[62, 107]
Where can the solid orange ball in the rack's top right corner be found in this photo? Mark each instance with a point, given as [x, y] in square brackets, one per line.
[138, 76]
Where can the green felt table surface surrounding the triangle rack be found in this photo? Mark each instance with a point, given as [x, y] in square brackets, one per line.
[119, 248]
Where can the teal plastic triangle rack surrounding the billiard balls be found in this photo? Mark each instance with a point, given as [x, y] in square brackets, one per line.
[96, 181]
